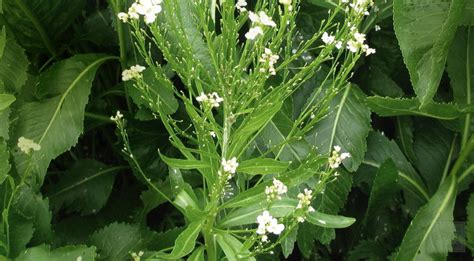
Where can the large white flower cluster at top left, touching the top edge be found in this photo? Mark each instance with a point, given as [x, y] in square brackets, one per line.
[148, 8]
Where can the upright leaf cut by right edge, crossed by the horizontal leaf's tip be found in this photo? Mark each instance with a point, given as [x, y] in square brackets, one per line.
[461, 73]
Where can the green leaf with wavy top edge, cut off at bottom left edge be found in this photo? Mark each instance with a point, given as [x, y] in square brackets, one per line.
[67, 253]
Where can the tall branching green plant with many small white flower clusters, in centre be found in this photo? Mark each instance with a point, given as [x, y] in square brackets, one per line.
[217, 73]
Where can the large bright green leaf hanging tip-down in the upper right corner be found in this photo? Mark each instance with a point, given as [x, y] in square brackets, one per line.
[425, 32]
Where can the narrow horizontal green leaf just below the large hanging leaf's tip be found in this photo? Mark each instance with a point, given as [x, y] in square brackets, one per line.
[385, 106]
